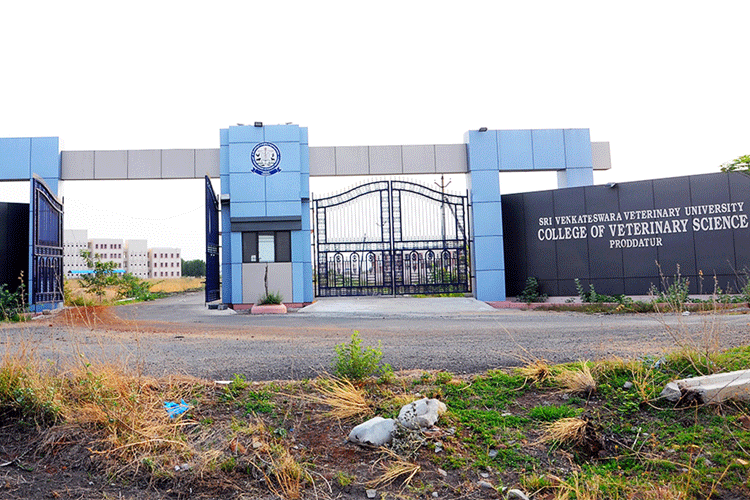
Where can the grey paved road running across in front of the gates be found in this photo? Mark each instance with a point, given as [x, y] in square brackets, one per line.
[179, 334]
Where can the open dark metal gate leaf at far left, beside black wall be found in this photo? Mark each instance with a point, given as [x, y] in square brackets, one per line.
[47, 246]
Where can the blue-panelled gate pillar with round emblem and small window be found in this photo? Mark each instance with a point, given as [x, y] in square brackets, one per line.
[265, 198]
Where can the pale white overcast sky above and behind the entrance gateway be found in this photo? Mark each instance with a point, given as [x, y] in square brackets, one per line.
[664, 82]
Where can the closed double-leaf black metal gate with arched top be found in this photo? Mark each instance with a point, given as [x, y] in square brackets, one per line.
[391, 237]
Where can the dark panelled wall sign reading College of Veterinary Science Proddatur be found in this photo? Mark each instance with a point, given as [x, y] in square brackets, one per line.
[626, 237]
